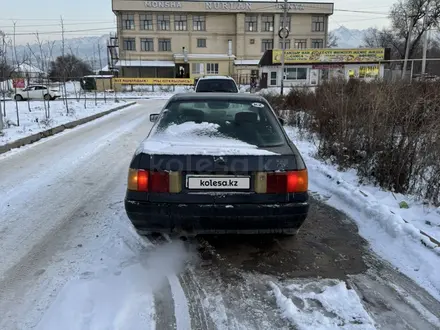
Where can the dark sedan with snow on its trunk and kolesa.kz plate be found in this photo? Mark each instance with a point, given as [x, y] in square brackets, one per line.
[217, 163]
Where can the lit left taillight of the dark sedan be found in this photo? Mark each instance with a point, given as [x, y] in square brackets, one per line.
[149, 181]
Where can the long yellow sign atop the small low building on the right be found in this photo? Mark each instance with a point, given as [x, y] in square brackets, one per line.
[329, 55]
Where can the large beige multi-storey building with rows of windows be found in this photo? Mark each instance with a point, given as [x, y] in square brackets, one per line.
[167, 39]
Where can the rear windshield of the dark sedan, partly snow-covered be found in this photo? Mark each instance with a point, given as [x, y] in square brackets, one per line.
[247, 121]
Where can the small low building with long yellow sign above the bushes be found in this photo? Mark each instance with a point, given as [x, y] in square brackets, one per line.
[309, 67]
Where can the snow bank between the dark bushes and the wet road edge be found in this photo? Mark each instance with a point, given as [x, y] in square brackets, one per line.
[381, 224]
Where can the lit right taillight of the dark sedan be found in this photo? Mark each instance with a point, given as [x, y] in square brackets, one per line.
[287, 182]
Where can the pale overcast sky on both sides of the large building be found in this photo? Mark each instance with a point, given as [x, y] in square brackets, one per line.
[95, 17]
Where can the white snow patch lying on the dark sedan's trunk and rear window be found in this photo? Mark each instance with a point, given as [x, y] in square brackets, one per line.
[197, 139]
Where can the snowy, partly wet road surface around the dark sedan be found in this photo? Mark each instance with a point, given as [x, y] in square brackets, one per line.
[70, 259]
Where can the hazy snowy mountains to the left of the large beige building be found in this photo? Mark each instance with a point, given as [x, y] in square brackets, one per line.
[87, 48]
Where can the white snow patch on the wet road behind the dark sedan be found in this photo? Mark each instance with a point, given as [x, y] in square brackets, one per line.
[322, 307]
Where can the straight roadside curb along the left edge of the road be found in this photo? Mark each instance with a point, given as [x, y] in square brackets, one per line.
[58, 129]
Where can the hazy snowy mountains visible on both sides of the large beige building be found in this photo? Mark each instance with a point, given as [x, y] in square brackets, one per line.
[87, 47]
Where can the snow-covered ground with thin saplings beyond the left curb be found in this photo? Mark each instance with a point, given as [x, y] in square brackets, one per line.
[32, 116]
